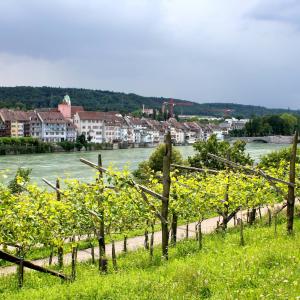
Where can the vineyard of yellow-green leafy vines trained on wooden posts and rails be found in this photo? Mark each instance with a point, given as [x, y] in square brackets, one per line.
[116, 205]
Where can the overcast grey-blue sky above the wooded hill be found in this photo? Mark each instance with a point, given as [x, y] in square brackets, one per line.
[202, 50]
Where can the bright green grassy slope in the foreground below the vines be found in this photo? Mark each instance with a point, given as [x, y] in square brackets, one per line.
[267, 267]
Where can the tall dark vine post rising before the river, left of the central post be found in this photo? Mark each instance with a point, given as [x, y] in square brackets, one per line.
[101, 237]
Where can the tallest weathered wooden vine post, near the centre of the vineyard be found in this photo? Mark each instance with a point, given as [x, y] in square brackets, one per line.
[166, 193]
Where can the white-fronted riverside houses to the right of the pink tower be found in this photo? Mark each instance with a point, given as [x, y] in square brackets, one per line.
[112, 127]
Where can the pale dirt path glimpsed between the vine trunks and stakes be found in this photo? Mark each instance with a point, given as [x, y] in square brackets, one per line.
[208, 226]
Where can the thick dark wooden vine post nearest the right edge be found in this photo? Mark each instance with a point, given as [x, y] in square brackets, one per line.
[291, 188]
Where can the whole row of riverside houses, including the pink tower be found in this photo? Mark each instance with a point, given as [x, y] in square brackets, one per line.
[67, 121]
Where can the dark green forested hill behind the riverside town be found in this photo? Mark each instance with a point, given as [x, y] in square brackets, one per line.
[25, 97]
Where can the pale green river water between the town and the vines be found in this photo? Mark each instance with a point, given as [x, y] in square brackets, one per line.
[64, 165]
